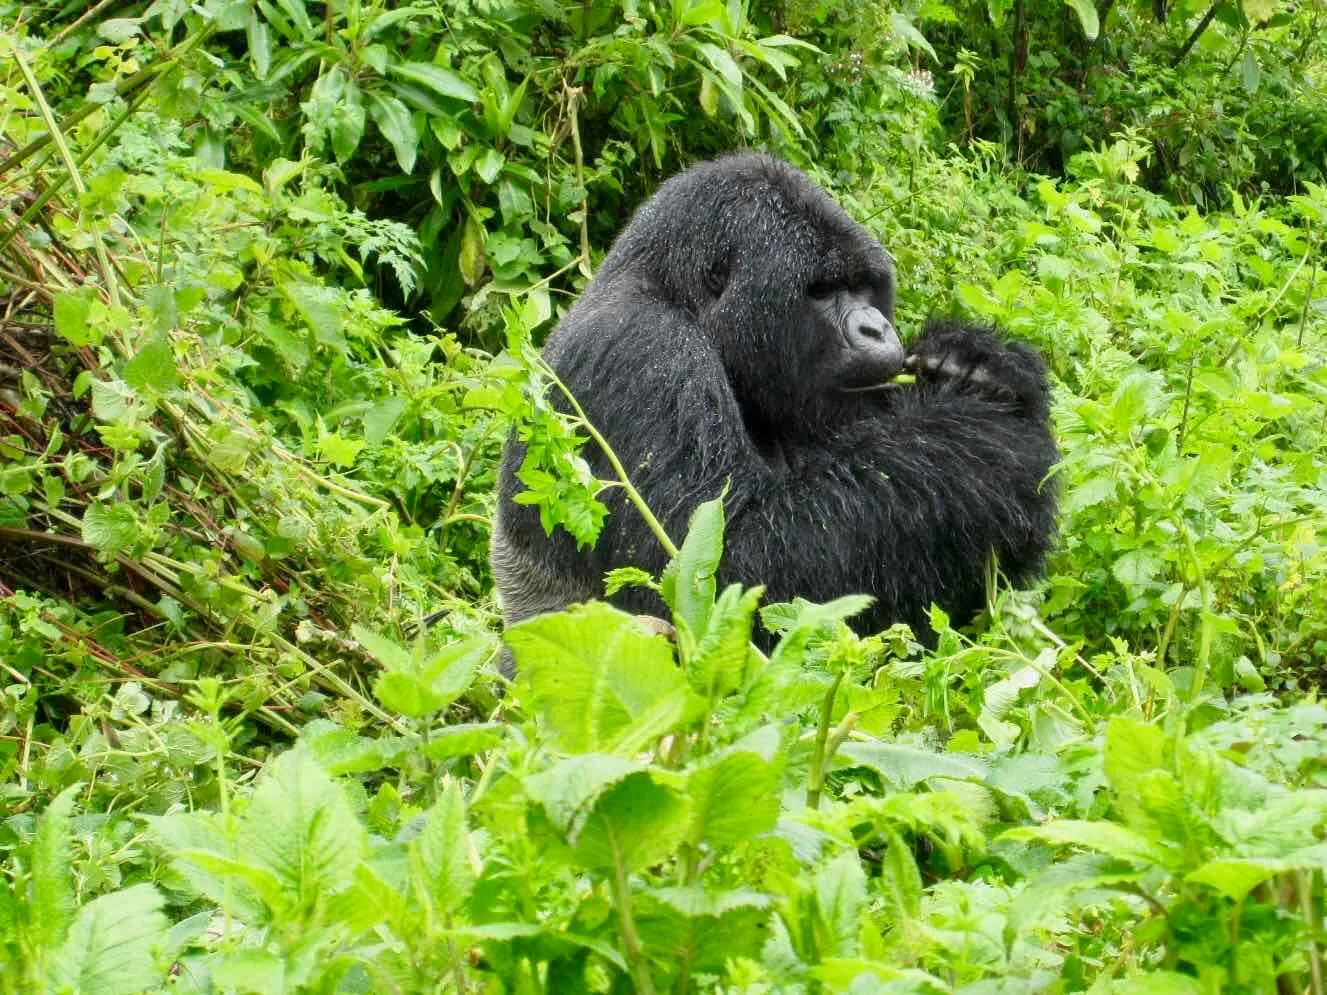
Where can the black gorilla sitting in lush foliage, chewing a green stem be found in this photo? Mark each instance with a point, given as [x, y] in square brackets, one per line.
[734, 335]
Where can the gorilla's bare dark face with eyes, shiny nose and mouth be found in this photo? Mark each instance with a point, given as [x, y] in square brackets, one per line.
[858, 344]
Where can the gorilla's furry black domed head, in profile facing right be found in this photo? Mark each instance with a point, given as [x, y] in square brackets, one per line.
[797, 299]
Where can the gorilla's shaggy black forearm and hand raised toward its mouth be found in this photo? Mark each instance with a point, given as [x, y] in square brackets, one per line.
[910, 502]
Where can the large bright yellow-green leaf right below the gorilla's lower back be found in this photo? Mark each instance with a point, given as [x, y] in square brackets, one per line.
[598, 680]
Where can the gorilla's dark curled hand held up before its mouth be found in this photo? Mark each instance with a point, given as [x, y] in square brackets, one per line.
[980, 363]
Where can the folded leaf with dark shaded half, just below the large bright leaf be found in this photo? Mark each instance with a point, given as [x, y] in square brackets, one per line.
[612, 811]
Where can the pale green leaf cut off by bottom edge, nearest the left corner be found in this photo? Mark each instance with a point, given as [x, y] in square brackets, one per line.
[113, 945]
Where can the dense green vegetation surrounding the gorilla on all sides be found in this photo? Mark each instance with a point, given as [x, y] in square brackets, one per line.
[271, 281]
